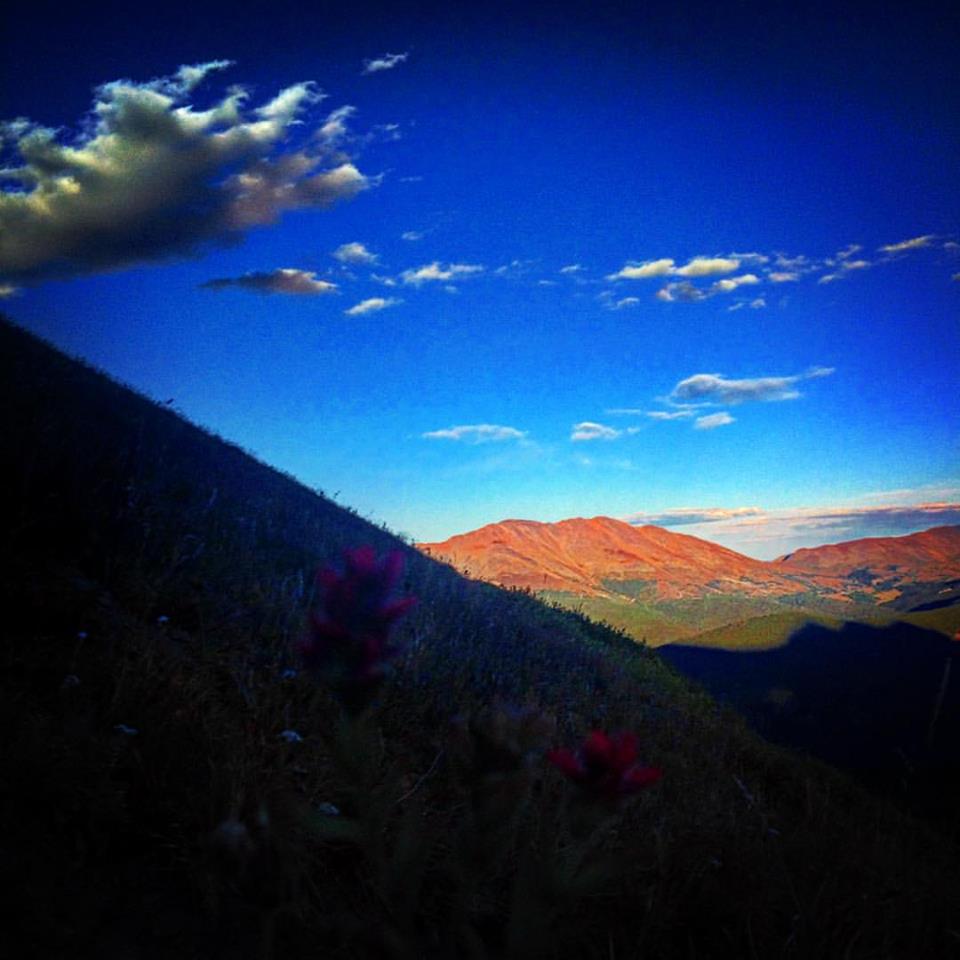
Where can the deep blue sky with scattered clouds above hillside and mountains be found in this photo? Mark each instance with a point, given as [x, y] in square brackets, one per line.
[696, 267]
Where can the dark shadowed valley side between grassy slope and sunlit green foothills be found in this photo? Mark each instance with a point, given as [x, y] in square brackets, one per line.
[880, 702]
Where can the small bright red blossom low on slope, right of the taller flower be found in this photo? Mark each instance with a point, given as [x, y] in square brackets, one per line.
[605, 766]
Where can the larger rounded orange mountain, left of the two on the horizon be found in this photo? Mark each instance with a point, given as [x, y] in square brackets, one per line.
[583, 556]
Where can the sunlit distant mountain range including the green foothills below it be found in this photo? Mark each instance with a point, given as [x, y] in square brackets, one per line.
[661, 586]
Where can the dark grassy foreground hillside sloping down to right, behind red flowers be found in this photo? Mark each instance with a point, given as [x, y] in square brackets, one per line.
[169, 788]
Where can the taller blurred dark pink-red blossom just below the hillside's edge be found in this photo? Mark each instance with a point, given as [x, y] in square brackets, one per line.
[347, 644]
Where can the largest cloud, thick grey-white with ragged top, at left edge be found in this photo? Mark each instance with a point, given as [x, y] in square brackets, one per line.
[149, 177]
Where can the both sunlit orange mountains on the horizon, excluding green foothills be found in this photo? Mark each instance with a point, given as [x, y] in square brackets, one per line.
[595, 557]
